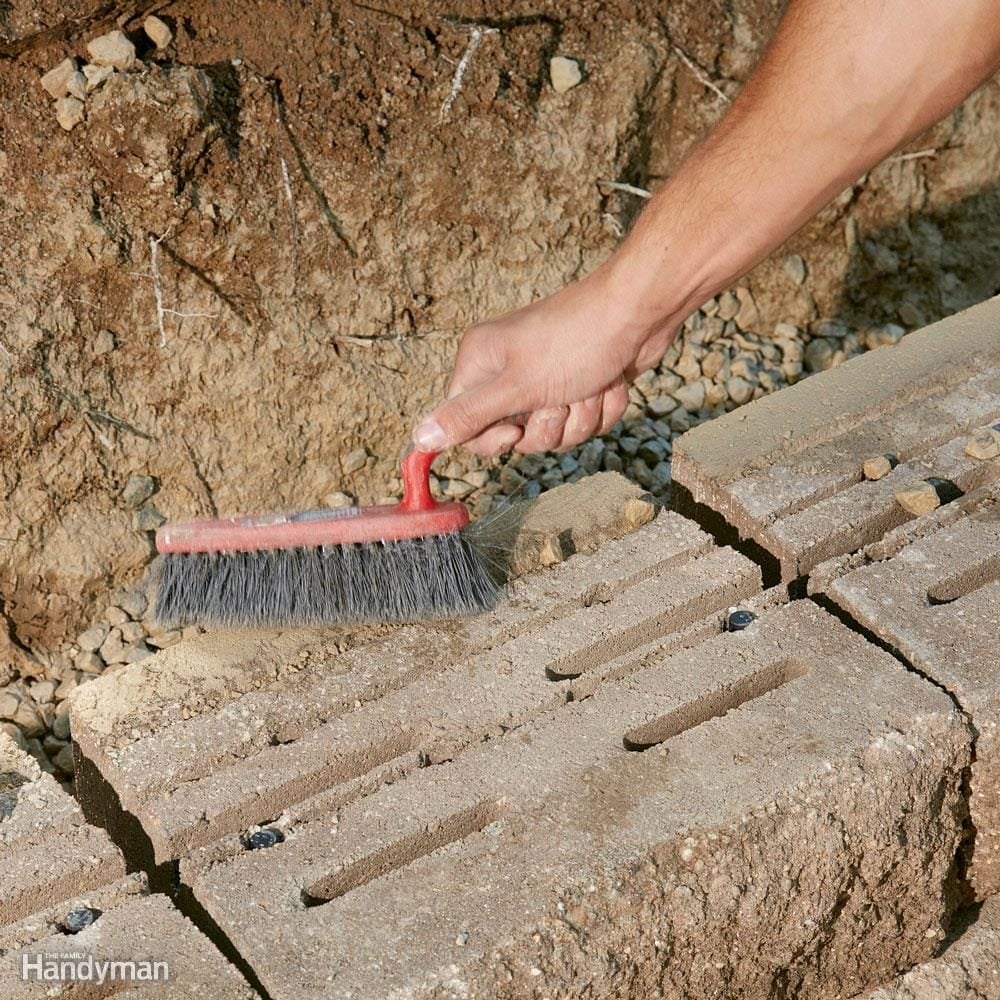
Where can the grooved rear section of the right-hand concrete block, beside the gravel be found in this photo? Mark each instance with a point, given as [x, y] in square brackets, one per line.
[787, 470]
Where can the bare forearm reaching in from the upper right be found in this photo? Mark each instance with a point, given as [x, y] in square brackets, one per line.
[843, 83]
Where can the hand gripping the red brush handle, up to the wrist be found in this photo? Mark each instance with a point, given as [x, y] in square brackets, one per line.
[563, 361]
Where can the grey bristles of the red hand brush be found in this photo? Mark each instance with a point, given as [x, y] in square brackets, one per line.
[439, 576]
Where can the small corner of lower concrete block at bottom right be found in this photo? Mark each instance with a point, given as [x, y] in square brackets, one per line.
[968, 970]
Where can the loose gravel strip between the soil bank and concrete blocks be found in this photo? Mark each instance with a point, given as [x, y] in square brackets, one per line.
[718, 362]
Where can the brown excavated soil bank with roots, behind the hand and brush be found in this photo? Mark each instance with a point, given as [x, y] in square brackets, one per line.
[324, 225]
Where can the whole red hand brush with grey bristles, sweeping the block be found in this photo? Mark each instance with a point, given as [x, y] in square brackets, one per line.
[391, 563]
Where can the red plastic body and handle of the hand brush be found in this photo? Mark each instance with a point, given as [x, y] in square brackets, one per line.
[416, 516]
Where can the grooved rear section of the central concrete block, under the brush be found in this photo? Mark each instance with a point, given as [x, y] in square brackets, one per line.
[194, 765]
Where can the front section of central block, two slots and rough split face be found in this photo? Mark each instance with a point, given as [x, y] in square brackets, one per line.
[773, 812]
